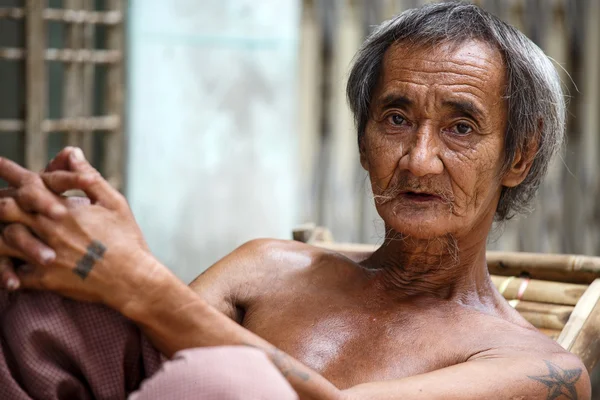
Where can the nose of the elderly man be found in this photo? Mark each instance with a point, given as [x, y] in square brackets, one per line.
[422, 157]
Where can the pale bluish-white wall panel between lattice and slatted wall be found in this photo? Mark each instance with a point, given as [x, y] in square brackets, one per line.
[212, 130]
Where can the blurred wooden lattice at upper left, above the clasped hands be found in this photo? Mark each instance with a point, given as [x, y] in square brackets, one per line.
[70, 58]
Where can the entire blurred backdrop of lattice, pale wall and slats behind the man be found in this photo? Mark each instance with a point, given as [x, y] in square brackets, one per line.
[225, 120]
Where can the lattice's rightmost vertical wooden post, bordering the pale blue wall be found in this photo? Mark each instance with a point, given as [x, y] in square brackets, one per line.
[114, 151]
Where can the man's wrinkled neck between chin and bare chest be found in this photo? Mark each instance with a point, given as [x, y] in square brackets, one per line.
[444, 267]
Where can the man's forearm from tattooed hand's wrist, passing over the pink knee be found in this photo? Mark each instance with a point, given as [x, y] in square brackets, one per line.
[175, 318]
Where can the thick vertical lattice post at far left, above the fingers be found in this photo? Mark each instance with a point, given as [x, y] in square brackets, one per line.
[36, 86]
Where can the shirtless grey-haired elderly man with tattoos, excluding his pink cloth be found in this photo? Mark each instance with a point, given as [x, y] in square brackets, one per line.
[458, 115]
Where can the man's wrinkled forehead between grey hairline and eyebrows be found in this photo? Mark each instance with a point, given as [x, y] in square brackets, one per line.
[470, 66]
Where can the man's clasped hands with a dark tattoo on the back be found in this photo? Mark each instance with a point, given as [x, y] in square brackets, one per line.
[89, 250]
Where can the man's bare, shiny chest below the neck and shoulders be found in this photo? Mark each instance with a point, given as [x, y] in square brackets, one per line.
[350, 345]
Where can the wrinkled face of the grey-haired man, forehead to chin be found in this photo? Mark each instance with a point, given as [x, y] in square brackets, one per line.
[433, 145]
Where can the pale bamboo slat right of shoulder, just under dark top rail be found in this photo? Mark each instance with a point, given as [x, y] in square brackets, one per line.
[540, 291]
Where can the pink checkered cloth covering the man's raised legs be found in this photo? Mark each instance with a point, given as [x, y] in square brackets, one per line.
[53, 348]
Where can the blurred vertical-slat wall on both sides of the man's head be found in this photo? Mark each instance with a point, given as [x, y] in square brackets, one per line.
[337, 193]
